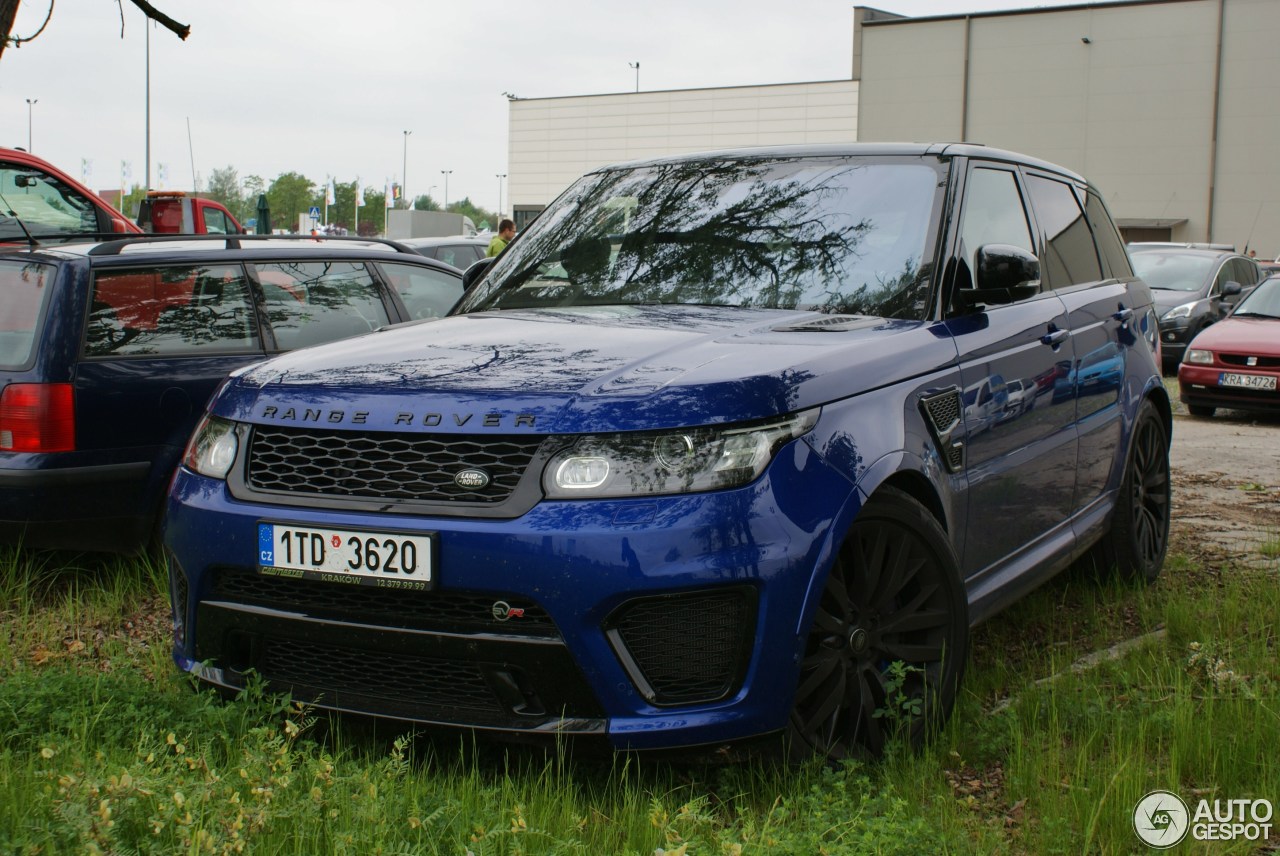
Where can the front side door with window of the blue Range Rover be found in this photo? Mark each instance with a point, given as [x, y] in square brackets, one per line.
[1021, 461]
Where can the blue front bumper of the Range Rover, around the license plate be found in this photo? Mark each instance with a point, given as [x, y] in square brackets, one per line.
[657, 622]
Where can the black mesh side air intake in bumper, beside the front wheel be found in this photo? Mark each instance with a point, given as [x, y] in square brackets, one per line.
[688, 648]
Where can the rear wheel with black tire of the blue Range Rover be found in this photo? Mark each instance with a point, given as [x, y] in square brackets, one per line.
[1140, 525]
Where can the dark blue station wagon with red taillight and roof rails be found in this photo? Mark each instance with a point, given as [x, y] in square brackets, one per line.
[111, 351]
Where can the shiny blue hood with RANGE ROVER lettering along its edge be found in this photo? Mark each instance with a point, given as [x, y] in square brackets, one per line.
[596, 369]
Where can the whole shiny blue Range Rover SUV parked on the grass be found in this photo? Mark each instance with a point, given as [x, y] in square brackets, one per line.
[693, 463]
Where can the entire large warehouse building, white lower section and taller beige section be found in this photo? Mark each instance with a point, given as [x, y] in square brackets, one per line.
[1168, 106]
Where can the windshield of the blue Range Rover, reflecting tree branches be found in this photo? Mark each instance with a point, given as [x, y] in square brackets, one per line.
[843, 236]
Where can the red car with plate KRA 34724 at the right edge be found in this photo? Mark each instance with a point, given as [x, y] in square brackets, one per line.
[1237, 361]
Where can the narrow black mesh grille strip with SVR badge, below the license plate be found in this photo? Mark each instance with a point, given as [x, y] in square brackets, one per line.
[431, 611]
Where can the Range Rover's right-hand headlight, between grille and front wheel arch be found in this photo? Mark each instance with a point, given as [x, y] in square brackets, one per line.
[670, 463]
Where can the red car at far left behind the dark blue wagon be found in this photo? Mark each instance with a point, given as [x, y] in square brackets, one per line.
[42, 203]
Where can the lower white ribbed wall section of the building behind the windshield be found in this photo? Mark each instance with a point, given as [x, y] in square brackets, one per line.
[555, 141]
